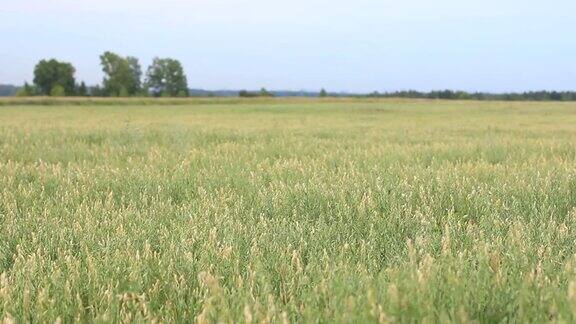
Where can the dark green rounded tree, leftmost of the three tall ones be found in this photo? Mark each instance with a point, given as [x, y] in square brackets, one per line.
[51, 73]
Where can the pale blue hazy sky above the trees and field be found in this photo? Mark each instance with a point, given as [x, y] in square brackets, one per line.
[340, 45]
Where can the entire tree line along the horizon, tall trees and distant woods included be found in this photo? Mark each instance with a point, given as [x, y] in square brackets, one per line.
[165, 77]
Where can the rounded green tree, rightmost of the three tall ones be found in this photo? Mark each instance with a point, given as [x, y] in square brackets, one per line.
[165, 77]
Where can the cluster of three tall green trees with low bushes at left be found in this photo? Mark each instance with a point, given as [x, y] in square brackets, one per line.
[165, 77]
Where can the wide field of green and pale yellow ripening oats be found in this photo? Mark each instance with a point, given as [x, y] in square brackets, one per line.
[288, 211]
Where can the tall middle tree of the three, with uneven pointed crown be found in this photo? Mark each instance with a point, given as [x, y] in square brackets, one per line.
[122, 75]
